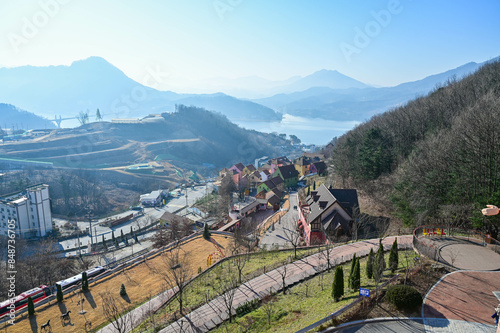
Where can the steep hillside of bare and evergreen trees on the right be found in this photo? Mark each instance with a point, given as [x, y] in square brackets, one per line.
[437, 158]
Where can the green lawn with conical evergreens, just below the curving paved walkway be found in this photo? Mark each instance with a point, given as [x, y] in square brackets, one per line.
[305, 303]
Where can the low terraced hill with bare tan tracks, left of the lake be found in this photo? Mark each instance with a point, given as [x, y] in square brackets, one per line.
[214, 140]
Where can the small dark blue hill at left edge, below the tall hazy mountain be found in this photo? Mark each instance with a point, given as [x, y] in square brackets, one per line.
[13, 117]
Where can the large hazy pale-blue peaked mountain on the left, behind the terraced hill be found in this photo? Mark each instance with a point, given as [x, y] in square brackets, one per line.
[94, 83]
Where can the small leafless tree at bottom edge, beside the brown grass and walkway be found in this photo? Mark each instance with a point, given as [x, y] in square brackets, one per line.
[114, 310]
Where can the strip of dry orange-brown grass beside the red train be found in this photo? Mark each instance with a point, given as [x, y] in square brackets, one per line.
[138, 280]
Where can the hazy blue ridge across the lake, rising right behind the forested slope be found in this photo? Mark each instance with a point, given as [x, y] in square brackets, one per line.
[358, 103]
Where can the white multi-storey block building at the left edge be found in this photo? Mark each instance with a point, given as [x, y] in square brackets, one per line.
[30, 210]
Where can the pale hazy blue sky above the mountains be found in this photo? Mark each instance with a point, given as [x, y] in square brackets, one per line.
[377, 42]
